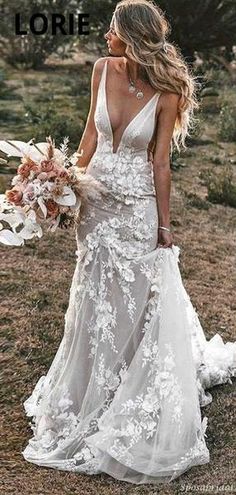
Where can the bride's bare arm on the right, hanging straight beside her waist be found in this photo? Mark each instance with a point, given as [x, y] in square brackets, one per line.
[161, 162]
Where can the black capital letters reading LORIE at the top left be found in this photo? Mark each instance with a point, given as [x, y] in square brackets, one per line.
[54, 24]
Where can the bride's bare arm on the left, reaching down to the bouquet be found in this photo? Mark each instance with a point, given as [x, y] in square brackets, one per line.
[88, 142]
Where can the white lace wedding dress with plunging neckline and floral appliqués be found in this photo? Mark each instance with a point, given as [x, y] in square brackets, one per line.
[123, 393]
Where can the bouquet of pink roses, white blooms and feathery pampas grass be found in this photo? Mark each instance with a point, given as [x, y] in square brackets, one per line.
[47, 191]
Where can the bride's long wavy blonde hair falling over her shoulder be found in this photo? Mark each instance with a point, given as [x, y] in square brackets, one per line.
[141, 24]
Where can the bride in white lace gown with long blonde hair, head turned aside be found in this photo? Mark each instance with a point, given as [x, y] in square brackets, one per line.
[124, 391]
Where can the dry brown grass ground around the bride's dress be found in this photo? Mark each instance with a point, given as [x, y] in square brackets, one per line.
[35, 282]
